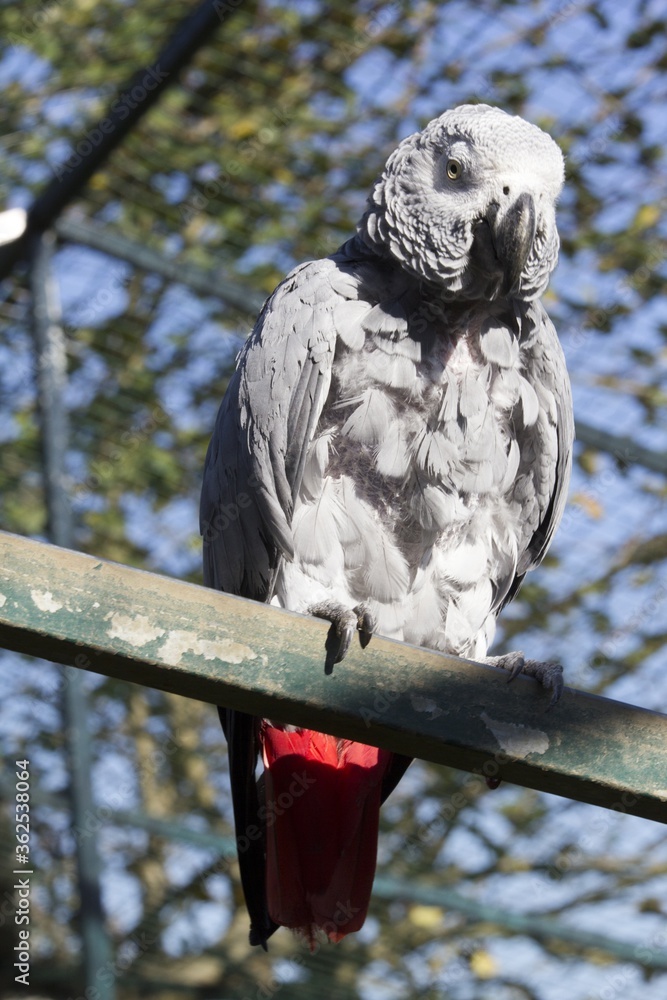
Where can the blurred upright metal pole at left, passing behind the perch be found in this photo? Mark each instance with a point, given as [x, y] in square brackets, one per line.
[51, 366]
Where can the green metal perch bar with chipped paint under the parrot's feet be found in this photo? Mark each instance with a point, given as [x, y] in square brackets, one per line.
[140, 627]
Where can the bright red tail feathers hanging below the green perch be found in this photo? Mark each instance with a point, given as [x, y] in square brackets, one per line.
[322, 813]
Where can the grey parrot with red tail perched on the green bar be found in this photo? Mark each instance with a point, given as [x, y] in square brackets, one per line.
[393, 455]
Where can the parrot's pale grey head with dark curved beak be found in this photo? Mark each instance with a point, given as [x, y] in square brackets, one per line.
[469, 203]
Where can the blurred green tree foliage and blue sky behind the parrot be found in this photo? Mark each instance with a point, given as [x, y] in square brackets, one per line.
[258, 157]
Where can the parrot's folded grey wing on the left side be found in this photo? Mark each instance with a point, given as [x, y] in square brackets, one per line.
[264, 425]
